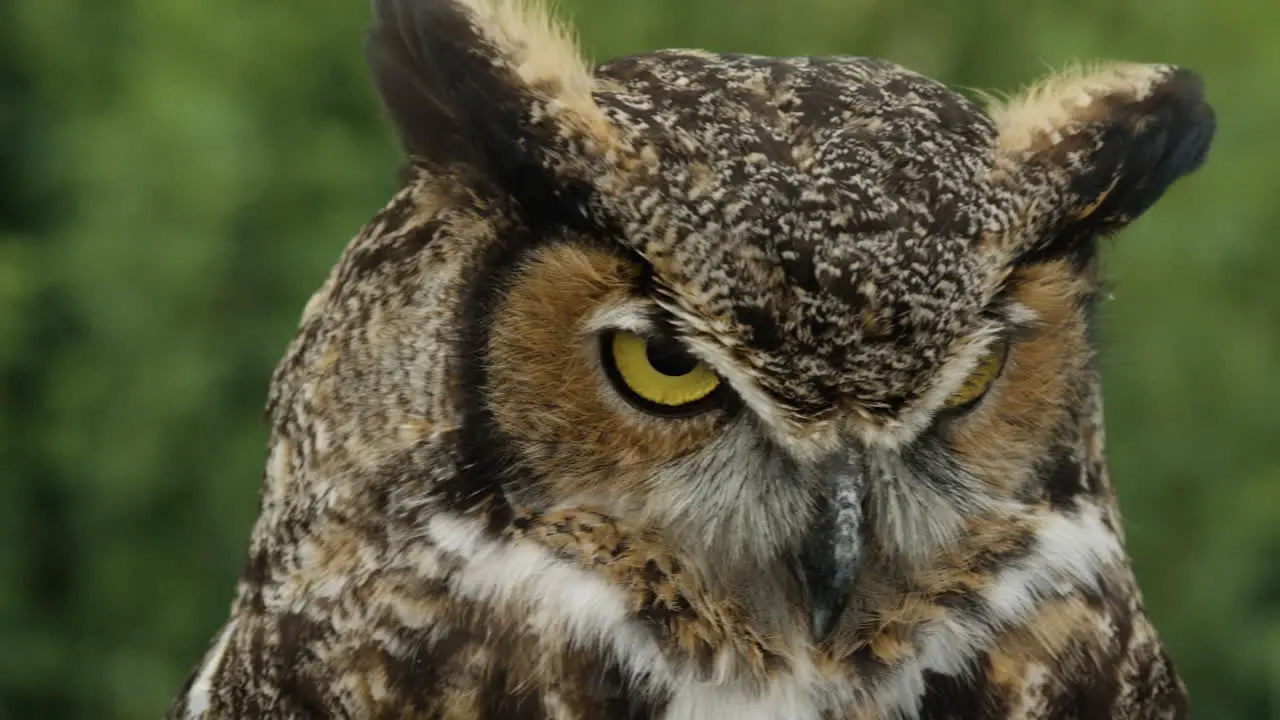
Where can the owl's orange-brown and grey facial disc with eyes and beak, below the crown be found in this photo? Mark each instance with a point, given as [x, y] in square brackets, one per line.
[606, 391]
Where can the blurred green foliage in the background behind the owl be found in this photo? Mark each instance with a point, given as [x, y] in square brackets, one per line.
[176, 179]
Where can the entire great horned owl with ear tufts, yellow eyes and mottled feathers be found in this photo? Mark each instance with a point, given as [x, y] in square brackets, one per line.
[702, 386]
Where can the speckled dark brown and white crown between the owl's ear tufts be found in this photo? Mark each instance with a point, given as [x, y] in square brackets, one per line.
[821, 212]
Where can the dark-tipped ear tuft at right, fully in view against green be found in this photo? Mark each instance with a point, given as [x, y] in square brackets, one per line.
[1095, 152]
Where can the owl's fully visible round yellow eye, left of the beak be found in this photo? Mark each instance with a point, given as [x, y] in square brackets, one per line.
[657, 375]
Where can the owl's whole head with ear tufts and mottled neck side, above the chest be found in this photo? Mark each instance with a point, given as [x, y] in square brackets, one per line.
[819, 327]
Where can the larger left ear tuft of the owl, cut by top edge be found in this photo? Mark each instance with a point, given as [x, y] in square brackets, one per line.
[492, 90]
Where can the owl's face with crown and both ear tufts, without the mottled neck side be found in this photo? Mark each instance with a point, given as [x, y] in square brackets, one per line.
[819, 313]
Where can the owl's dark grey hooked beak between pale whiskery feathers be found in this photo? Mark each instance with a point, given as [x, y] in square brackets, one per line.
[829, 559]
